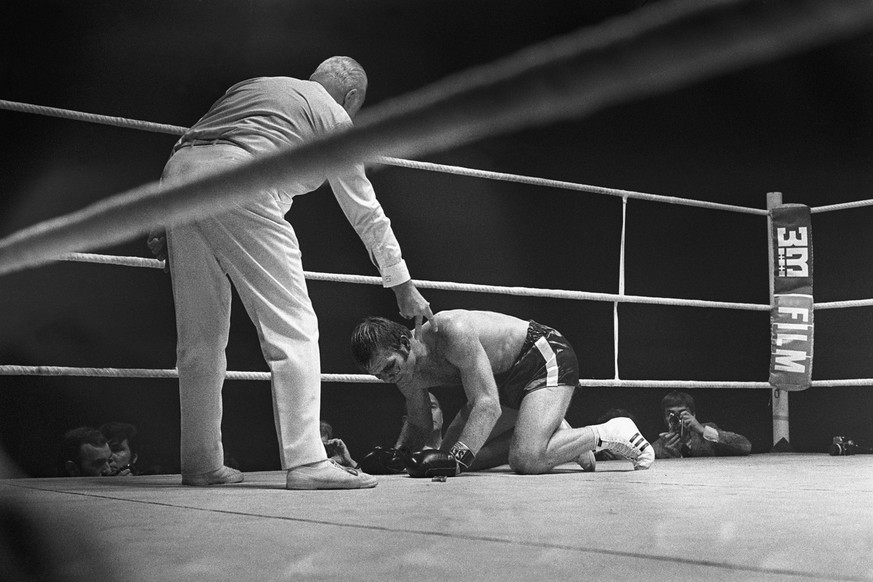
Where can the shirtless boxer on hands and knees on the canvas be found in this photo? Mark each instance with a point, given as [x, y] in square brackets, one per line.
[519, 377]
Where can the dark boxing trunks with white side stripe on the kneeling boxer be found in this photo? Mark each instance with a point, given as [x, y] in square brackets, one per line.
[545, 359]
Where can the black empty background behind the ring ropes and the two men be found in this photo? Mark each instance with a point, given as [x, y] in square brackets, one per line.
[801, 126]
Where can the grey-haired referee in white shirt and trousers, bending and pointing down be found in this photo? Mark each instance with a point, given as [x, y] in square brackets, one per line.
[252, 247]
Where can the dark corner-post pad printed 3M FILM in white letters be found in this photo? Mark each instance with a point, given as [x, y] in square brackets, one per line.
[791, 315]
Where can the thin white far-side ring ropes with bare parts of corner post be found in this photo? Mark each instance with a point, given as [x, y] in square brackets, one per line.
[780, 396]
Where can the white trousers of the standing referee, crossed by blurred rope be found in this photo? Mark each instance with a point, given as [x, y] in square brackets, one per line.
[255, 248]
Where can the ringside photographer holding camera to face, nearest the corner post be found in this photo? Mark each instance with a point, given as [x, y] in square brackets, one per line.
[686, 437]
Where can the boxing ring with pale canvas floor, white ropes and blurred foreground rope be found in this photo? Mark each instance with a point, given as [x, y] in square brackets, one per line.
[763, 517]
